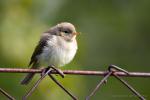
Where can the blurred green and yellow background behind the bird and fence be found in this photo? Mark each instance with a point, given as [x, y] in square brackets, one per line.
[112, 32]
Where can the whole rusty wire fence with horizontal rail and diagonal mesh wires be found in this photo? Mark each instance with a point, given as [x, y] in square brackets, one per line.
[113, 70]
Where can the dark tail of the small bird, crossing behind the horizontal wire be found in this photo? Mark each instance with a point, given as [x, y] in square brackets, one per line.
[29, 76]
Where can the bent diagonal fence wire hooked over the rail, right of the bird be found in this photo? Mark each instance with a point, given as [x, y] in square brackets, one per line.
[111, 71]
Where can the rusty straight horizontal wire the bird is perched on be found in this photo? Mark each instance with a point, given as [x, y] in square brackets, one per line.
[75, 72]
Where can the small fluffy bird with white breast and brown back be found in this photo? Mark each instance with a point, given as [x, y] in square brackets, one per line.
[56, 47]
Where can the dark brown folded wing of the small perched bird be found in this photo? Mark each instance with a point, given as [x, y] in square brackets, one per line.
[39, 48]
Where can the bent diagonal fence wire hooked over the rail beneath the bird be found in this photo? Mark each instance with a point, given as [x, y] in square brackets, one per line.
[45, 72]
